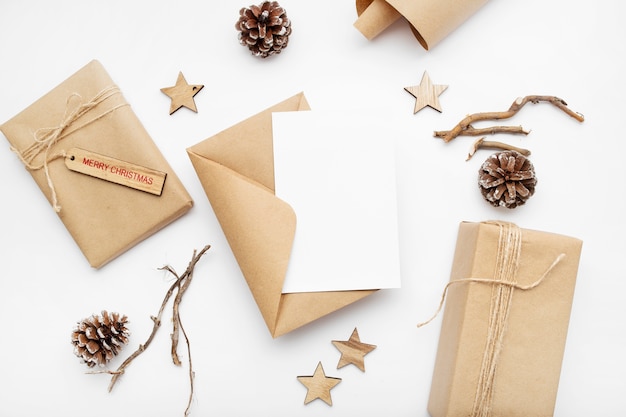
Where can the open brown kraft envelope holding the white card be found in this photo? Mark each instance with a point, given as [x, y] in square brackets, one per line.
[236, 169]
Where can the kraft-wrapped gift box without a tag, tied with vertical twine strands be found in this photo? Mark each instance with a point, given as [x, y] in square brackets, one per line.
[505, 322]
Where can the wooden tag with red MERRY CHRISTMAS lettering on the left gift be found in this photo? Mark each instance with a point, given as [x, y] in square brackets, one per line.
[116, 171]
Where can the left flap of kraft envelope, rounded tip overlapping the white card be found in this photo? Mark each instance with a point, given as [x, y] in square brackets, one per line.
[259, 228]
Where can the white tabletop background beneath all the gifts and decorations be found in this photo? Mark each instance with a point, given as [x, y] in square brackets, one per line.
[574, 50]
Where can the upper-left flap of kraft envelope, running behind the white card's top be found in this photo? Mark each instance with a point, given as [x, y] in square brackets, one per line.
[247, 147]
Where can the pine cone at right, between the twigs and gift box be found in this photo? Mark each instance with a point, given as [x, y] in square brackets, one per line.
[507, 179]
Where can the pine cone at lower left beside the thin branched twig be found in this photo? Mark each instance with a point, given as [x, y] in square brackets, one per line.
[97, 339]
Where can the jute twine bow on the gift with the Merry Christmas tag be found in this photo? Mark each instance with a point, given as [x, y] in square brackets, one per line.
[45, 138]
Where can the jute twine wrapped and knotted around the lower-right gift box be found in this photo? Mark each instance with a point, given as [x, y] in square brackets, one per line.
[503, 284]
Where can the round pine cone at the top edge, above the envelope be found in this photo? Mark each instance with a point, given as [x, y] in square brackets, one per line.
[264, 29]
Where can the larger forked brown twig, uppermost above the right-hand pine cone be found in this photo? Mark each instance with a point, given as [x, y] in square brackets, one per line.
[464, 127]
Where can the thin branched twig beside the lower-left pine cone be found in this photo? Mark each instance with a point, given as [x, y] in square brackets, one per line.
[181, 284]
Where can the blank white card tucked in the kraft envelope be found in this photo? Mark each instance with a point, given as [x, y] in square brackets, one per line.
[338, 173]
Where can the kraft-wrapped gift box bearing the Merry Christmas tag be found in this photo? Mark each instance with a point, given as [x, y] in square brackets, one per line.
[88, 111]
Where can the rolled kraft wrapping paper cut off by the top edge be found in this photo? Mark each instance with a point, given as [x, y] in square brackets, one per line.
[430, 20]
